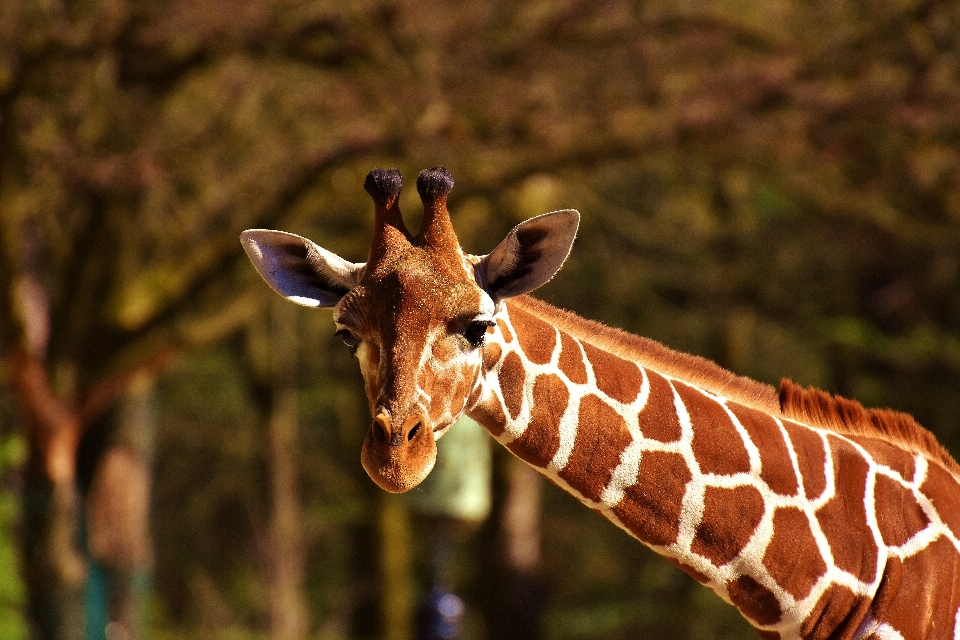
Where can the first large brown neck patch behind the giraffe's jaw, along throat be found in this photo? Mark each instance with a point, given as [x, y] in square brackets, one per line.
[540, 441]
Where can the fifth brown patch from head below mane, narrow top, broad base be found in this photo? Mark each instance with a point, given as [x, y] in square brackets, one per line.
[717, 444]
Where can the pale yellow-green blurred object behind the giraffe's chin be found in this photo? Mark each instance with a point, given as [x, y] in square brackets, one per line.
[459, 485]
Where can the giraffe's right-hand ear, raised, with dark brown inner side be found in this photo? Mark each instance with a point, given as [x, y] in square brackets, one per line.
[529, 256]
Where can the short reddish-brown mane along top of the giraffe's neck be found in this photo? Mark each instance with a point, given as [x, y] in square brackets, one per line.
[808, 406]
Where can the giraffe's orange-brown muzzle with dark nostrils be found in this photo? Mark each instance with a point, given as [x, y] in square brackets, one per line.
[398, 454]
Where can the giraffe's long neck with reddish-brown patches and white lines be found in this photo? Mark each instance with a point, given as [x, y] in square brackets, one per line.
[776, 517]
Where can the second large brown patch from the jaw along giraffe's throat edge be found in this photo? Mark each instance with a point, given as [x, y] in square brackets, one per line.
[602, 435]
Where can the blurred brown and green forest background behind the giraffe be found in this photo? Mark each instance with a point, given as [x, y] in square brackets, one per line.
[773, 185]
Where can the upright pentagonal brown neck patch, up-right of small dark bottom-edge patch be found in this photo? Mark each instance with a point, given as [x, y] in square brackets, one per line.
[792, 557]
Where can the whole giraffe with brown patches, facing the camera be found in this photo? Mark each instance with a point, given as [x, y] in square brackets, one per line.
[815, 517]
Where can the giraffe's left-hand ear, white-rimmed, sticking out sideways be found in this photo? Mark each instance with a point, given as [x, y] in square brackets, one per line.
[298, 269]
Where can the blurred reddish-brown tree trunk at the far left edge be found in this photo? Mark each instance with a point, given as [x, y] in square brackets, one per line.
[53, 569]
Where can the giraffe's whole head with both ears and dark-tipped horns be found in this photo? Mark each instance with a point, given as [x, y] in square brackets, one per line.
[416, 313]
